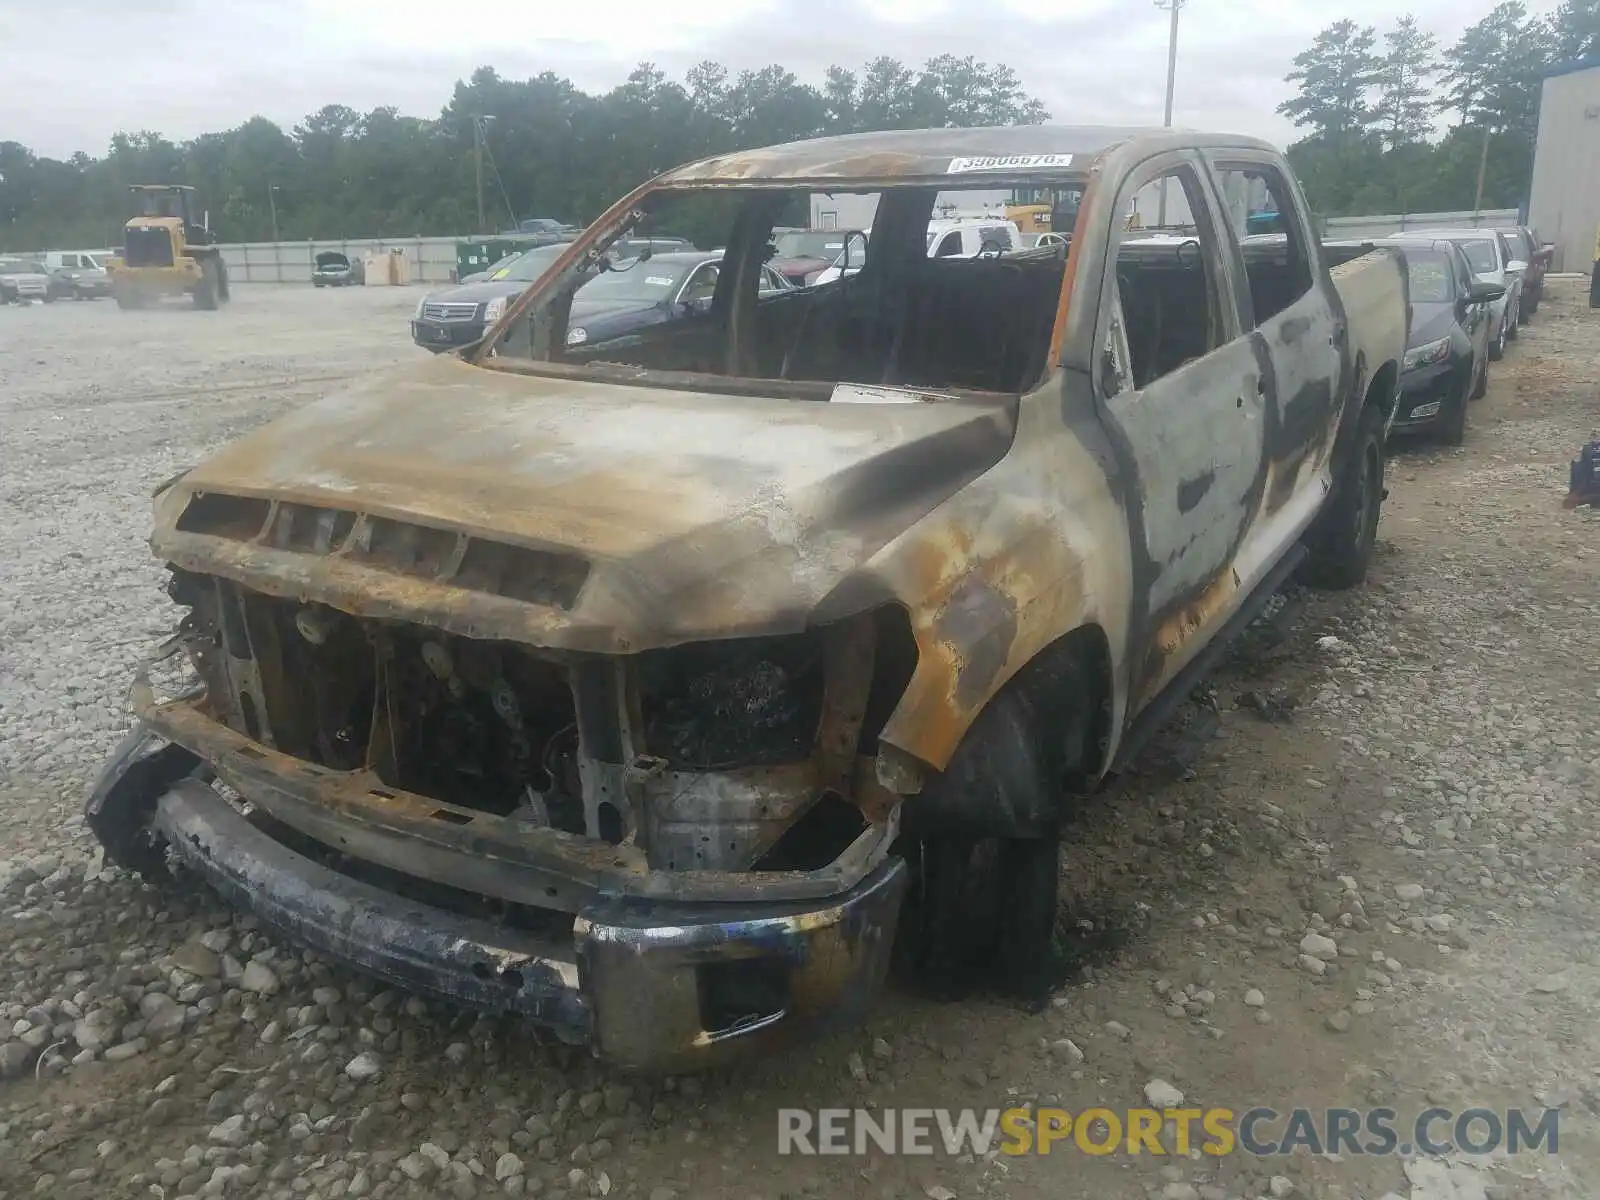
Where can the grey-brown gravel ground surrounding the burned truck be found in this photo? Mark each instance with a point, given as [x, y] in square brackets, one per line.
[1361, 873]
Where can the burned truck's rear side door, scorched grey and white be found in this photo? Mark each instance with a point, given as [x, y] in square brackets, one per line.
[1310, 377]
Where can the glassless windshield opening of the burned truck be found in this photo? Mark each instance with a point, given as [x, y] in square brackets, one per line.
[806, 290]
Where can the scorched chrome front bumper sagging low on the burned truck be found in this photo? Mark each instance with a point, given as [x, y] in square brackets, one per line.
[650, 985]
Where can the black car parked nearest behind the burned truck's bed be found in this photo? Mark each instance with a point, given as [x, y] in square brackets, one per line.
[1449, 353]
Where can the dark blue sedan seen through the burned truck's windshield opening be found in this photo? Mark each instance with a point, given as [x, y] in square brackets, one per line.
[652, 292]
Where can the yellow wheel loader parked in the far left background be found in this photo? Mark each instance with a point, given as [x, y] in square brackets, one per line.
[167, 252]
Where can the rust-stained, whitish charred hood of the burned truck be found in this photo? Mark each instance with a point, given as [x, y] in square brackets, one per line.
[572, 514]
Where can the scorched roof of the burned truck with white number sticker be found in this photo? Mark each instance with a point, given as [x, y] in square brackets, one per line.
[945, 156]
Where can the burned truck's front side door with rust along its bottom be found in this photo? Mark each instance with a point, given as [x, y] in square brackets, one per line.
[1194, 439]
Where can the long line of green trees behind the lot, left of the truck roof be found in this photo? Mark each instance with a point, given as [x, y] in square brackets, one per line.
[550, 150]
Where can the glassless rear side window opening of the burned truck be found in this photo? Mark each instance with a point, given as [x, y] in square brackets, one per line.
[1279, 265]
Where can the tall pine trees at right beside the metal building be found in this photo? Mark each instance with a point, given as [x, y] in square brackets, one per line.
[1398, 126]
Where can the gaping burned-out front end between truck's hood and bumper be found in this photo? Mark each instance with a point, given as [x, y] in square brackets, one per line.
[738, 756]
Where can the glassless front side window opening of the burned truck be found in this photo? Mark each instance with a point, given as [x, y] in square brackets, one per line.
[1167, 295]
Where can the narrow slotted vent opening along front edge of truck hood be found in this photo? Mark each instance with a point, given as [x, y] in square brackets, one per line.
[534, 577]
